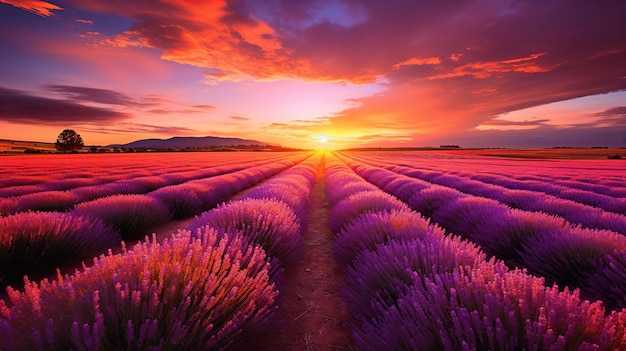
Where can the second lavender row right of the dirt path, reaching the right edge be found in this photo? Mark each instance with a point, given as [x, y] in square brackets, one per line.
[546, 245]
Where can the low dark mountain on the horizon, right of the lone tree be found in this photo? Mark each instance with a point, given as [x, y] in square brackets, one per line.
[181, 142]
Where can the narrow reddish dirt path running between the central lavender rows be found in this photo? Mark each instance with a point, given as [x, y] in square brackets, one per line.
[313, 312]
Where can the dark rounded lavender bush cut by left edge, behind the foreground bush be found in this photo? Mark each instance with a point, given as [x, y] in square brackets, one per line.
[39, 242]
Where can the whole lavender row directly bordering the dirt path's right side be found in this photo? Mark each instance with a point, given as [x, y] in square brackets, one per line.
[408, 286]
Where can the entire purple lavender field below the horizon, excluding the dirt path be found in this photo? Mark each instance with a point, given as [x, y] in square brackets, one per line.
[436, 251]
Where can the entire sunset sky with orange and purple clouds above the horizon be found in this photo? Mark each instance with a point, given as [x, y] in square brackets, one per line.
[317, 73]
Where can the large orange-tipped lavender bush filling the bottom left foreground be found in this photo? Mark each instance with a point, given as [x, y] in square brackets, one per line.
[208, 291]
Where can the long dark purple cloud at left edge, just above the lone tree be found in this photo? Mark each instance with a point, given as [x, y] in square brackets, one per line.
[20, 107]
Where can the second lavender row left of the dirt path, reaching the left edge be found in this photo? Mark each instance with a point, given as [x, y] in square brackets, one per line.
[39, 242]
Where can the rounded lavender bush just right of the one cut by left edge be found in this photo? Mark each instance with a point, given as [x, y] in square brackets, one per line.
[132, 215]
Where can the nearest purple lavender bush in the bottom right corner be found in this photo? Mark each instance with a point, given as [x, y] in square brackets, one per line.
[486, 307]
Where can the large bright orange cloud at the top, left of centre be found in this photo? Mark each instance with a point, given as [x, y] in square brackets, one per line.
[230, 43]
